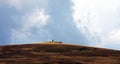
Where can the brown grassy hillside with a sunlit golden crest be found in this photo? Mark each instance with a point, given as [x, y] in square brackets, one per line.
[46, 53]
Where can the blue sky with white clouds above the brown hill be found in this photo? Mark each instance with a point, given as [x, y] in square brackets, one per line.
[84, 22]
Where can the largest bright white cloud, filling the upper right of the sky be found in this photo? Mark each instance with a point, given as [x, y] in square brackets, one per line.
[97, 19]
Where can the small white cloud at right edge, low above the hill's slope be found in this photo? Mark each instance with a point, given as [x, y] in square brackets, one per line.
[113, 40]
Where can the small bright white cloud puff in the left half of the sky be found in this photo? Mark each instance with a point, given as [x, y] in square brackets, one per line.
[37, 18]
